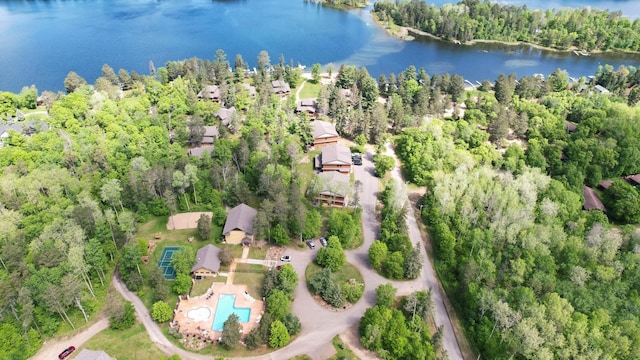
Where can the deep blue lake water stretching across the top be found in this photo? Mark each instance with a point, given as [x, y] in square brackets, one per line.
[41, 41]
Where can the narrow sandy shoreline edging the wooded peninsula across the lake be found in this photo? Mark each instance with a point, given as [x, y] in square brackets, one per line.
[409, 34]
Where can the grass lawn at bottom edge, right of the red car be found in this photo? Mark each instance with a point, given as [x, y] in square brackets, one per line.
[133, 343]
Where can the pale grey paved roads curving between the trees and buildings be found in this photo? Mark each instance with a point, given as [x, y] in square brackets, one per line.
[319, 324]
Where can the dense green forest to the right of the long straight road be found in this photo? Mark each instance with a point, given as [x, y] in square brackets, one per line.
[534, 275]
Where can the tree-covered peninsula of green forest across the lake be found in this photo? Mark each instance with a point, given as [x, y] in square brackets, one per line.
[587, 28]
